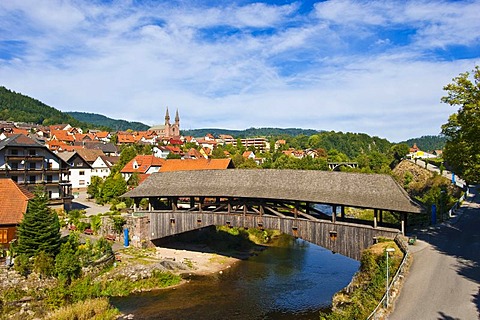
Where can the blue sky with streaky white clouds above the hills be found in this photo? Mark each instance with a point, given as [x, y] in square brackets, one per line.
[376, 67]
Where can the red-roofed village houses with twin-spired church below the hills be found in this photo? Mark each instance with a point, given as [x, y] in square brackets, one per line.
[63, 159]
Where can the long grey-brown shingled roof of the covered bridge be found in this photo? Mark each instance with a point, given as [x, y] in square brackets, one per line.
[376, 191]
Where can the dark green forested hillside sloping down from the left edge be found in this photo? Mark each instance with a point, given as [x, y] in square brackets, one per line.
[20, 108]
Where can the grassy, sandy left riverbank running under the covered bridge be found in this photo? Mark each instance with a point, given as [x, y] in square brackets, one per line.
[87, 297]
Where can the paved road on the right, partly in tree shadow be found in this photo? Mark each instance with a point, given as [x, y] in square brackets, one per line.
[443, 282]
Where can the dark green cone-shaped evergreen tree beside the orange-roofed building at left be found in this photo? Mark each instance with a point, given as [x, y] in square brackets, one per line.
[39, 229]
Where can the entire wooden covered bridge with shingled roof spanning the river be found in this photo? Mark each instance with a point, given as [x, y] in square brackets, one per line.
[276, 199]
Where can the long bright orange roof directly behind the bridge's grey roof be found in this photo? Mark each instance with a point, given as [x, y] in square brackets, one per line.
[196, 164]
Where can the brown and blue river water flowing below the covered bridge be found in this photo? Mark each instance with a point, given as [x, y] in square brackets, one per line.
[290, 282]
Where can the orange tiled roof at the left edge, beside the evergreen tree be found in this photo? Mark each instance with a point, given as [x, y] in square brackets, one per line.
[13, 202]
